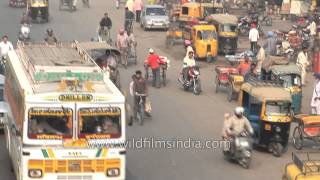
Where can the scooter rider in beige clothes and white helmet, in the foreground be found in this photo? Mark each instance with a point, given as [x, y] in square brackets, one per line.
[236, 125]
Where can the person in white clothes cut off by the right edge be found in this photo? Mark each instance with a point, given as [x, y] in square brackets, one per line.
[315, 101]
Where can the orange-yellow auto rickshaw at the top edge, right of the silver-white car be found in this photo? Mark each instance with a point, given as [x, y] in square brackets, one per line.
[199, 10]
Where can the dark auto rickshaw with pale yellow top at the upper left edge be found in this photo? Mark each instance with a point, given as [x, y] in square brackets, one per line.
[38, 10]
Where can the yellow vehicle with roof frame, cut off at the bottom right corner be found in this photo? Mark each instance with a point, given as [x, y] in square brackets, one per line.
[304, 166]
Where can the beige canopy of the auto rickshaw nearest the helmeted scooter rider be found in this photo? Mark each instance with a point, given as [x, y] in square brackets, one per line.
[267, 92]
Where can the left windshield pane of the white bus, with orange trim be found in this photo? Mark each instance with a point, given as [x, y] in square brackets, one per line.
[50, 123]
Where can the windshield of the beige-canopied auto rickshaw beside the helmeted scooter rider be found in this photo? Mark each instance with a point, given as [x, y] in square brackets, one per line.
[277, 108]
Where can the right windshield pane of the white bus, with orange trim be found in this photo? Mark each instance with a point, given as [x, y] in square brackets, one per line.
[99, 123]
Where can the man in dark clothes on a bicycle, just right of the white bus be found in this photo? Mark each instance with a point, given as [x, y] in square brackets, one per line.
[139, 87]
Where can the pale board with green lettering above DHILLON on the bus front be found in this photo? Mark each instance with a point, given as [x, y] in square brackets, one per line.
[57, 76]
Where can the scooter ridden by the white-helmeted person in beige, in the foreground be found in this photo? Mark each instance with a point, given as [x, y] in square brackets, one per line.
[240, 150]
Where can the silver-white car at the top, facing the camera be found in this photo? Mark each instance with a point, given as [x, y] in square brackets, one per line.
[154, 17]
